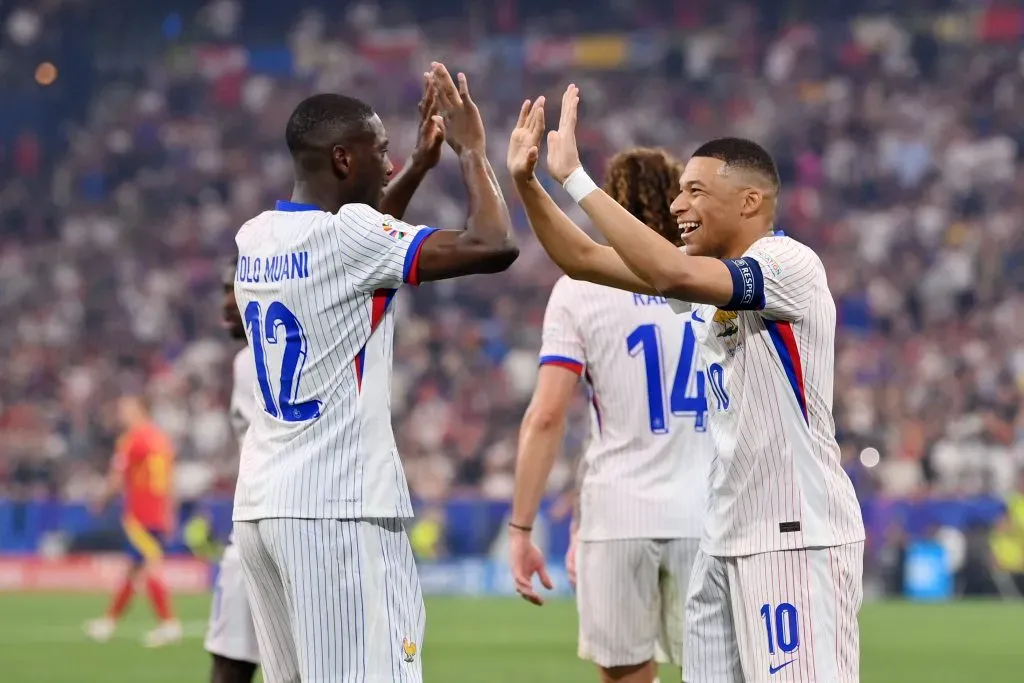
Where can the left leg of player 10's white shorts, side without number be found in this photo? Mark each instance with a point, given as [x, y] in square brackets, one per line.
[712, 655]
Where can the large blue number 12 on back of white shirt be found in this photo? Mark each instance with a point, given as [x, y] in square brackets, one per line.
[280, 319]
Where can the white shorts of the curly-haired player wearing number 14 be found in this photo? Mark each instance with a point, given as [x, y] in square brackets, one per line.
[630, 595]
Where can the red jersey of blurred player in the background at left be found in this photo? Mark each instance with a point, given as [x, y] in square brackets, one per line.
[147, 457]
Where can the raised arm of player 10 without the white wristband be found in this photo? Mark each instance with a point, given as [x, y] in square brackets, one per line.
[571, 248]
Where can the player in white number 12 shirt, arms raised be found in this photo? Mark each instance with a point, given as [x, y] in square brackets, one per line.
[322, 496]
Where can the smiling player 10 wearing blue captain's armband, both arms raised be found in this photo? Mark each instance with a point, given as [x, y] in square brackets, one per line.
[777, 586]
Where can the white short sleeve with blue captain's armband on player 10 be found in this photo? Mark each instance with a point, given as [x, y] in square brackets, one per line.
[777, 276]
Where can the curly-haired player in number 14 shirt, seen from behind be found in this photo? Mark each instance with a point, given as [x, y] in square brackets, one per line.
[645, 489]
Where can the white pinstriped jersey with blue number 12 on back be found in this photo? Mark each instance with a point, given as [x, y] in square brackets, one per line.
[316, 291]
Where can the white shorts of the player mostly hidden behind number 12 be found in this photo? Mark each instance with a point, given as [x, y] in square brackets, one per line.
[231, 633]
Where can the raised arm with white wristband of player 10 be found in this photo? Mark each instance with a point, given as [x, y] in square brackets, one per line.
[649, 255]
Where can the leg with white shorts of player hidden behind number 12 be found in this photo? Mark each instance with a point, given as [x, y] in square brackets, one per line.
[231, 637]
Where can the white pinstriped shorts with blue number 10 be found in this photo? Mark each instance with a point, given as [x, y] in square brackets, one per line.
[788, 617]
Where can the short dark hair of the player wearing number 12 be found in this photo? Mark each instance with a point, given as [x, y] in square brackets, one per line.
[320, 120]
